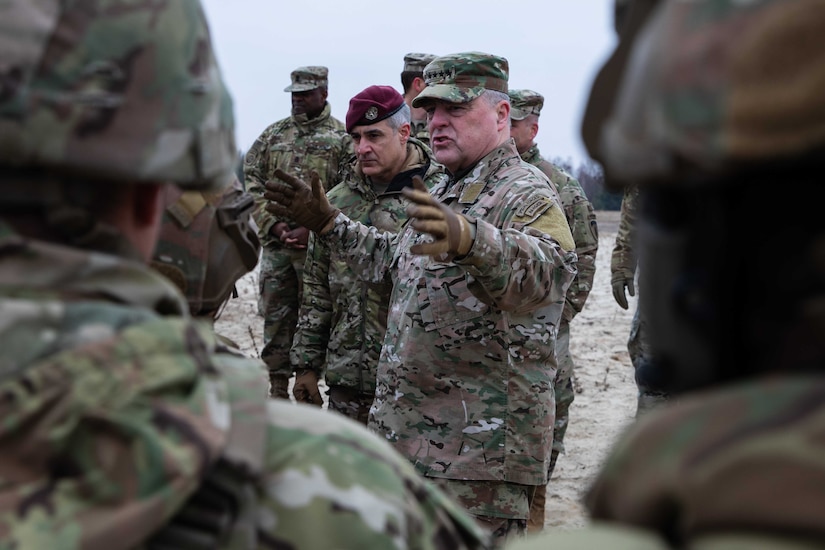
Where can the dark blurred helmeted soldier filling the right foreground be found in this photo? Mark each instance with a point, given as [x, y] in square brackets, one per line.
[711, 105]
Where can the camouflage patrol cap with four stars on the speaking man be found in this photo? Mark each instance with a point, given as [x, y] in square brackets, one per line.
[462, 77]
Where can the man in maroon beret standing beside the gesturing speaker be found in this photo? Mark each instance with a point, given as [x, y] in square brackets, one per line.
[343, 318]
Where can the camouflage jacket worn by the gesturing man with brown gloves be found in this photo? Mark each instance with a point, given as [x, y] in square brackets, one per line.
[465, 378]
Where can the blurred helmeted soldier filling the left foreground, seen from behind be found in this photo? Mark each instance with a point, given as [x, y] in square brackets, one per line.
[125, 422]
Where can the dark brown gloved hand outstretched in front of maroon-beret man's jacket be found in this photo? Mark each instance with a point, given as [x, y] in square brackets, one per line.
[293, 198]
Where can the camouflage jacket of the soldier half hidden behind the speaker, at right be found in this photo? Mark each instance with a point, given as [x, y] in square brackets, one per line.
[582, 220]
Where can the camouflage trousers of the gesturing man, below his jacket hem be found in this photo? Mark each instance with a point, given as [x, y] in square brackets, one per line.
[500, 508]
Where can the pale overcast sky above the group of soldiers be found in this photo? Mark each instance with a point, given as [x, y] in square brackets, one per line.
[553, 46]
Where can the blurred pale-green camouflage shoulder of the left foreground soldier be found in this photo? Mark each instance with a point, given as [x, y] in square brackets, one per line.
[328, 457]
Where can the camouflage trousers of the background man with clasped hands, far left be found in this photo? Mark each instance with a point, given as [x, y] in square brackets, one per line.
[279, 282]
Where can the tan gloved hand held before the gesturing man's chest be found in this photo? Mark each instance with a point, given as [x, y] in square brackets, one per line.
[452, 232]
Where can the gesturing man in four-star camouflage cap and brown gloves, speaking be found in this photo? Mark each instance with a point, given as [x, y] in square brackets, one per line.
[465, 377]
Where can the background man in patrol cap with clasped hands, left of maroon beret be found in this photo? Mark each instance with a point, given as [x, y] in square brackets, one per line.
[309, 139]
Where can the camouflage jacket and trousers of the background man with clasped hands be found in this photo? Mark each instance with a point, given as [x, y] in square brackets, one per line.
[296, 145]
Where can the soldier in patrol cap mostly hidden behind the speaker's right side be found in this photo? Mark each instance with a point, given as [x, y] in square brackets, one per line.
[524, 126]
